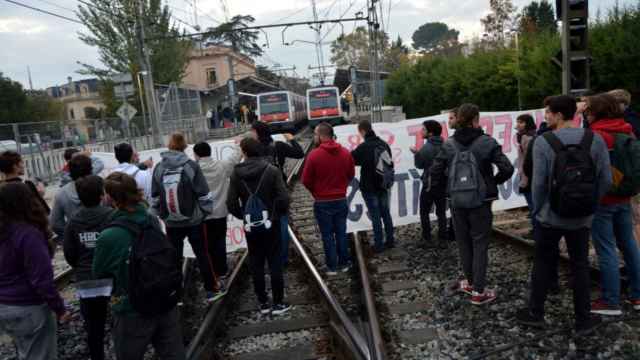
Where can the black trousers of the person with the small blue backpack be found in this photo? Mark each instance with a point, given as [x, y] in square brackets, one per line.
[265, 247]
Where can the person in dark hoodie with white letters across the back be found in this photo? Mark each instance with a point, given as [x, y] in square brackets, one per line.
[80, 237]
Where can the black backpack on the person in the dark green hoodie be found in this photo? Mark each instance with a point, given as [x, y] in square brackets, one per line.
[154, 279]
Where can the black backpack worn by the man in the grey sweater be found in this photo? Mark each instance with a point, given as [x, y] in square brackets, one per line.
[573, 178]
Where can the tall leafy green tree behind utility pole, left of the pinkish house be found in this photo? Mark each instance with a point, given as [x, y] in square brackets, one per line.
[111, 28]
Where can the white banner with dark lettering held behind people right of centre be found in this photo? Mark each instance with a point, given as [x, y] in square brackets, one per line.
[405, 194]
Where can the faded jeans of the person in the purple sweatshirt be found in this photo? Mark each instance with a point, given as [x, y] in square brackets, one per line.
[32, 329]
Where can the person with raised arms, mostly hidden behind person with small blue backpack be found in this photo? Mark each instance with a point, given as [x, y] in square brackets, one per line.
[277, 152]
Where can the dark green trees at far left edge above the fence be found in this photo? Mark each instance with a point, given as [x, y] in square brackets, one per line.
[18, 105]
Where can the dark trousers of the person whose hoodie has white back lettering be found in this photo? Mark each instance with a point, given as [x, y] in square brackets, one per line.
[94, 314]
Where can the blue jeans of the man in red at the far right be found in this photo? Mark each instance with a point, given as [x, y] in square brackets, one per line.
[613, 224]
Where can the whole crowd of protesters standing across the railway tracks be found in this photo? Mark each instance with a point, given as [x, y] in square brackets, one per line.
[124, 234]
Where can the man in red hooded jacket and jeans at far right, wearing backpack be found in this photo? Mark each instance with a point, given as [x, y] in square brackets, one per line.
[613, 220]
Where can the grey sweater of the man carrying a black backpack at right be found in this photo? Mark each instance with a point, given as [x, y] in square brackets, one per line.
[543, 158]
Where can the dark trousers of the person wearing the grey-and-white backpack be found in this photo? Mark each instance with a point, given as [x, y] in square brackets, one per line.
[196, 235]
